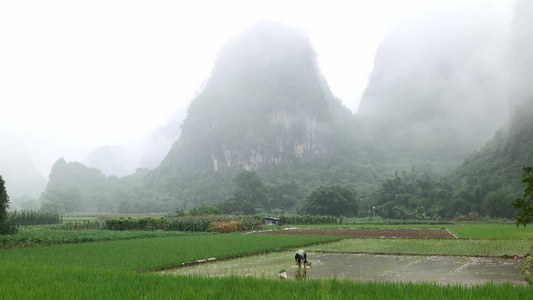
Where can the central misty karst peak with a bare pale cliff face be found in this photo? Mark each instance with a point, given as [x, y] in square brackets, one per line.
[266, 108]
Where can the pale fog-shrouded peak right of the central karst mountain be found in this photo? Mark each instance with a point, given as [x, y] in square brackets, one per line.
[438, 90]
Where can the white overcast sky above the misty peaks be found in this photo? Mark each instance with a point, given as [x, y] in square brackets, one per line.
[75, 75]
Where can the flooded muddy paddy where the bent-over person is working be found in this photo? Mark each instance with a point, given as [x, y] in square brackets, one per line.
[367, 267]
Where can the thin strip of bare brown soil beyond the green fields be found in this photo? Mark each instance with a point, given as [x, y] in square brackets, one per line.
[369, 233]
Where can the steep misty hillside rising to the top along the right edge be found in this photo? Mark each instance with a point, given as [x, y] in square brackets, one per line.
[498, 165]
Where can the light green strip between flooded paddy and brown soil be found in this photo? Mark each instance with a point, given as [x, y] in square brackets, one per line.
[470, 247]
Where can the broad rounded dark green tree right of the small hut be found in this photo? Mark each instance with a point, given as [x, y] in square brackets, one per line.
[333, 200]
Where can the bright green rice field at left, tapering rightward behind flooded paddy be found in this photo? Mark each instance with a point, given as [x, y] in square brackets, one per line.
[145, 254]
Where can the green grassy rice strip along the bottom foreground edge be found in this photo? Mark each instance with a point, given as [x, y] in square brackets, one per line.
[24, 281]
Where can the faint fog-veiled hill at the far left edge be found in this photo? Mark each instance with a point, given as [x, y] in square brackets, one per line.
[18, 169]
